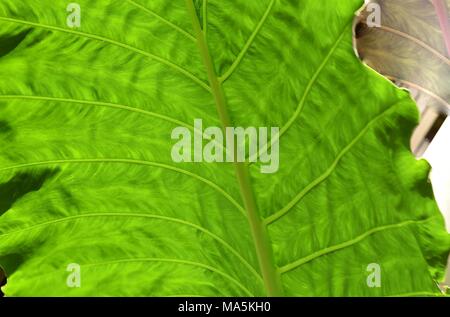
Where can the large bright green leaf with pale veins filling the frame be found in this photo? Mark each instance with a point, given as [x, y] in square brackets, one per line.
[89, 191]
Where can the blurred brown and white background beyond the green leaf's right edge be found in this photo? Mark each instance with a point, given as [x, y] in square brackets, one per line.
[408, 41]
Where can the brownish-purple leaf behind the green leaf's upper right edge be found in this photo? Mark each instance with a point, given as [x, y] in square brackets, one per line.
[409, 47]
